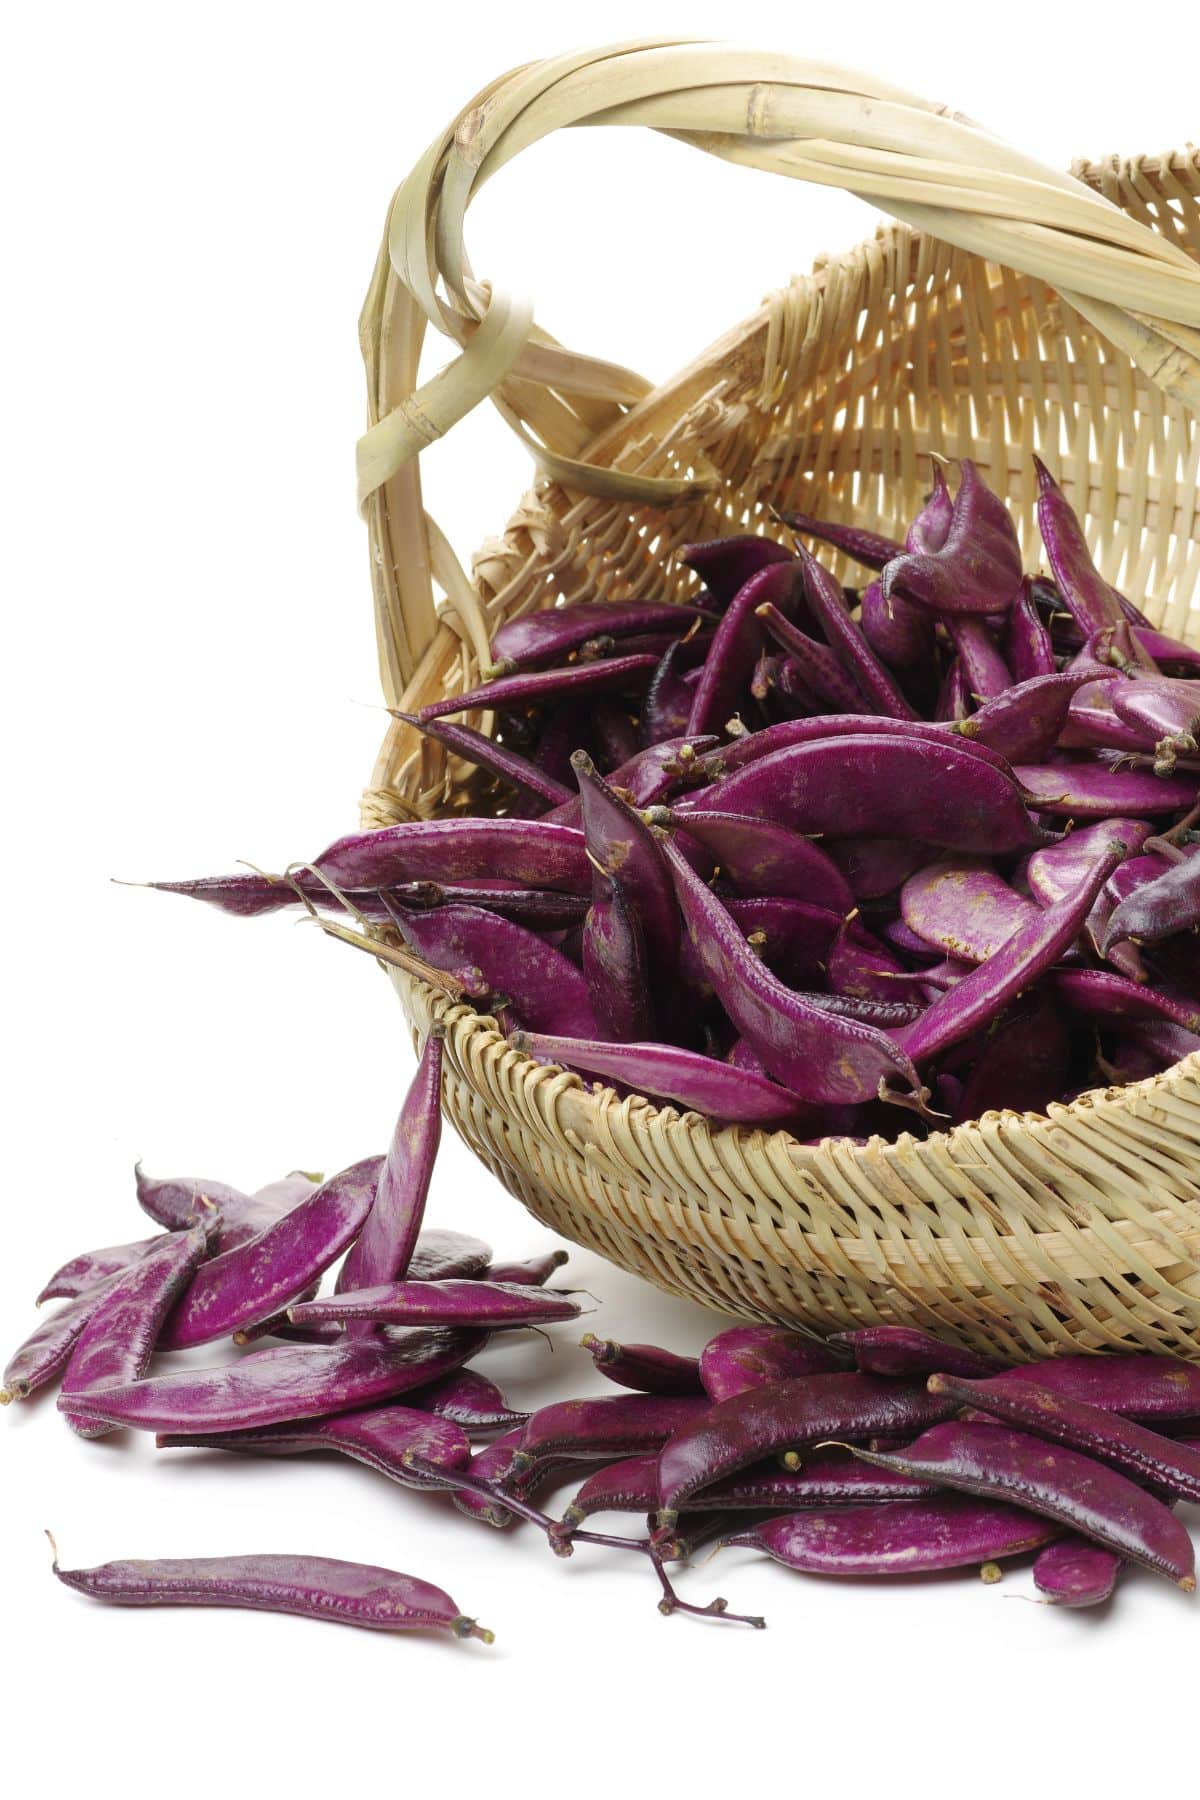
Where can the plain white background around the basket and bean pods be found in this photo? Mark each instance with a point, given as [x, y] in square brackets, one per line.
[193, 206]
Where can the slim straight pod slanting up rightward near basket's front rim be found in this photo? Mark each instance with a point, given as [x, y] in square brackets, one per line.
[1028, 953]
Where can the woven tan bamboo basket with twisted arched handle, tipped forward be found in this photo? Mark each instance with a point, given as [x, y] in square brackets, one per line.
[1007, 309]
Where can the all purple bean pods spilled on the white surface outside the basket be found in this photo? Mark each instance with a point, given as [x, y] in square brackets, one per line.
[877, 1452]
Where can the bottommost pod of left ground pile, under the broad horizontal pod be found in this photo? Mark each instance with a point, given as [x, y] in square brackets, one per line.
[379, 1439]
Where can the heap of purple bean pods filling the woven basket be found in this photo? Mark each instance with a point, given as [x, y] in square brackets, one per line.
[798, 856]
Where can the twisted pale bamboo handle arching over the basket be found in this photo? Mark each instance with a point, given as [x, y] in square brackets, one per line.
[927, 166]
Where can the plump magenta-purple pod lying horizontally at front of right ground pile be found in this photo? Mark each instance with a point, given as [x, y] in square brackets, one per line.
[900, 1538]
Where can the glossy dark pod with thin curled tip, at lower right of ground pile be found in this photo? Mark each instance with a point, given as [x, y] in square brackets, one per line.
[1057, 1484]
